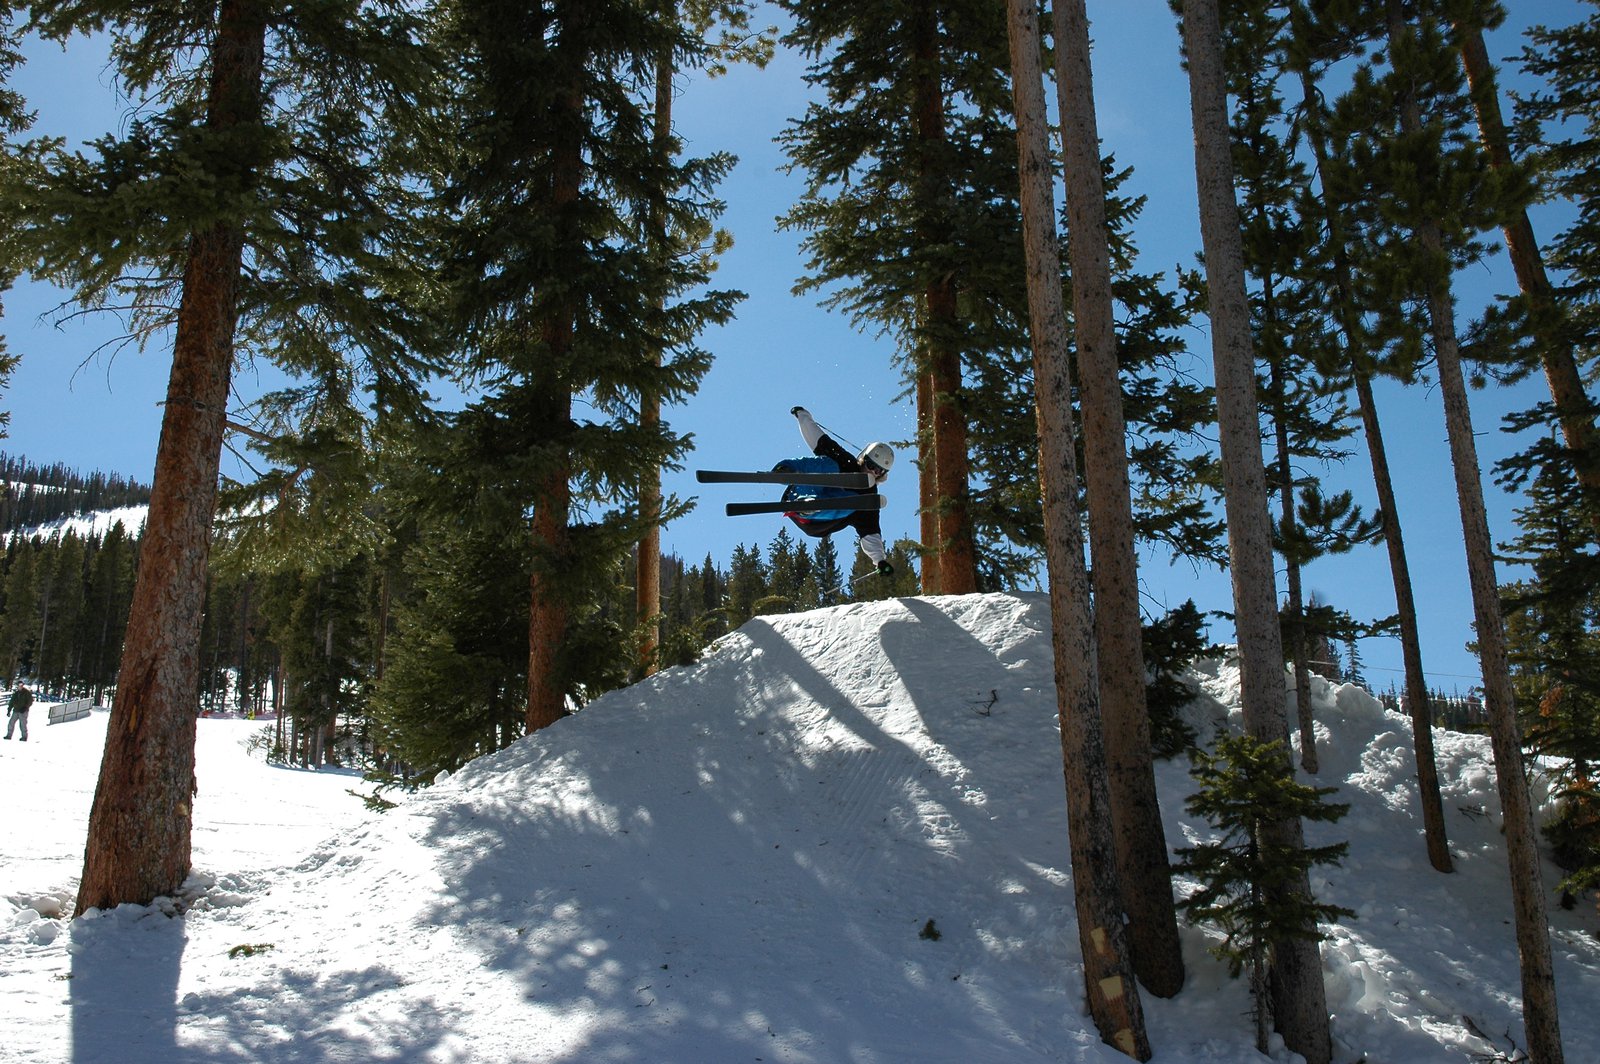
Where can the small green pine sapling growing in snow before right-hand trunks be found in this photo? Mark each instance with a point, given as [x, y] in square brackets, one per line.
[1246, 876]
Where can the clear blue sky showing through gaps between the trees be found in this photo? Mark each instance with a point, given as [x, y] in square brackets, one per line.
[73, 402]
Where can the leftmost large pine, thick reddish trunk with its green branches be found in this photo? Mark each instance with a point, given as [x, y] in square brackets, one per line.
[244, 177]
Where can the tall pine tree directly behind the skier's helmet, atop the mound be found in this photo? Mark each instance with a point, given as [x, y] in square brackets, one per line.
[910, 222]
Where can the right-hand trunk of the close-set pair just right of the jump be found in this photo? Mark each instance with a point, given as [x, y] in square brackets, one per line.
[1137, 815]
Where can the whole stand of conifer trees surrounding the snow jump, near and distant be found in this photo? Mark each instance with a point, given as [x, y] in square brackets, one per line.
[385, 201]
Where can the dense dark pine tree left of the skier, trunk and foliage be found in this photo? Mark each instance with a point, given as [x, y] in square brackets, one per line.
[558, 290]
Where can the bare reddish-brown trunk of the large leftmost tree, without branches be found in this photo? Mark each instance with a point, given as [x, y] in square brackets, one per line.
[140, 823]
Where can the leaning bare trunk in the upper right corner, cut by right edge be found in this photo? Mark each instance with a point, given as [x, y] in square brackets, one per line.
[1556, 353]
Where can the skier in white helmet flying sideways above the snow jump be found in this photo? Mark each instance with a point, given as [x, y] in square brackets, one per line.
[826, 494]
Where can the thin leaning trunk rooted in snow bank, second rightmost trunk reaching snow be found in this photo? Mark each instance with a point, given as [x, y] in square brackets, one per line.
[1394, 542]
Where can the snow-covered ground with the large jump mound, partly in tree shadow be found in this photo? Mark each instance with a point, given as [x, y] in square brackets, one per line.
[743, 860]
